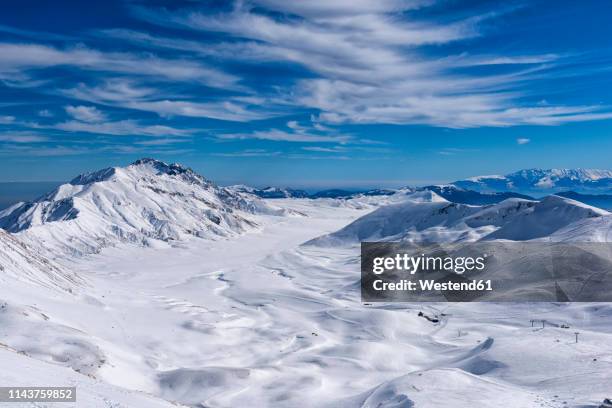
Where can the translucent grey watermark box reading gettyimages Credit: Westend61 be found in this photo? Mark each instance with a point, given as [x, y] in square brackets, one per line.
[486, 271]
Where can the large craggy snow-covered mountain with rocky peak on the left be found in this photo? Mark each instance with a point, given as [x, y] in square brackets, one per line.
[145, 201]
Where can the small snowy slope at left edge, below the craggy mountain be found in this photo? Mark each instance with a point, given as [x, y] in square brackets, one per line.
[19, 263]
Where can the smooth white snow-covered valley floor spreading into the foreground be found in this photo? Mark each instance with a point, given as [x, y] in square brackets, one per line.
[262, 321]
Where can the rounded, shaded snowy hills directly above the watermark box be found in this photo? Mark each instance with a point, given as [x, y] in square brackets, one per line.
[427, 217]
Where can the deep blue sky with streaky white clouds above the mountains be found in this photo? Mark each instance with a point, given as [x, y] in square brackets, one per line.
[344, 93]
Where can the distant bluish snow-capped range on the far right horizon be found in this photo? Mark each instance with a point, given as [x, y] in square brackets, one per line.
[542, 181]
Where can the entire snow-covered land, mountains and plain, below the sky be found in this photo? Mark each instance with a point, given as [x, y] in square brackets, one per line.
[150, 286]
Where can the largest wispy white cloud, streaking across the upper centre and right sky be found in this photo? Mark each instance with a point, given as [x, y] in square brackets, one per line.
[370, 63]
